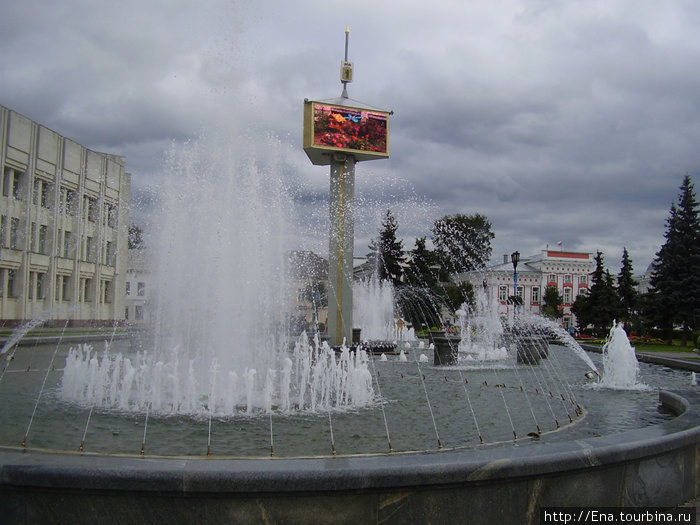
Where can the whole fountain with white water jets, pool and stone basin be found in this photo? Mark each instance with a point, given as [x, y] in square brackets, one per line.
[224, 412]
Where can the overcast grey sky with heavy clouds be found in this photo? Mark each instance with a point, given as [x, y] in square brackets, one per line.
[559, 120]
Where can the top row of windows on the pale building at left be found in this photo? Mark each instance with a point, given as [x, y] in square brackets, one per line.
[67, 198]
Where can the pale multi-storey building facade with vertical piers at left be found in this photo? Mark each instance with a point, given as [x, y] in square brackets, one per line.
[64, 213]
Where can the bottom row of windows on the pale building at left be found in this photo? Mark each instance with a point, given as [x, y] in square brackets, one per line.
[38, 287]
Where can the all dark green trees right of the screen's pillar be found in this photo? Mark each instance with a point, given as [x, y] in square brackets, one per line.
[421, 277]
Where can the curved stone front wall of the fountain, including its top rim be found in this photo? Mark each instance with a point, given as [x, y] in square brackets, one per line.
[653, 466]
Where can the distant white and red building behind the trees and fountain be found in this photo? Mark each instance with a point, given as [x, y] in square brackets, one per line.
[569, 272]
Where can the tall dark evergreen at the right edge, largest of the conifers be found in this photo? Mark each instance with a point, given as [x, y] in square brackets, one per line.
[675, 278]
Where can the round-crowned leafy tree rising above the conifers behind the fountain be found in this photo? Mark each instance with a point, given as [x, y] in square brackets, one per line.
[462, 242]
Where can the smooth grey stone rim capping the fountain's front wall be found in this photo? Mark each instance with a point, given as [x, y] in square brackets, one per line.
[43, 470]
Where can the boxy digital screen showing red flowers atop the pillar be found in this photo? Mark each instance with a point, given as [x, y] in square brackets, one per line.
[360, 132]
